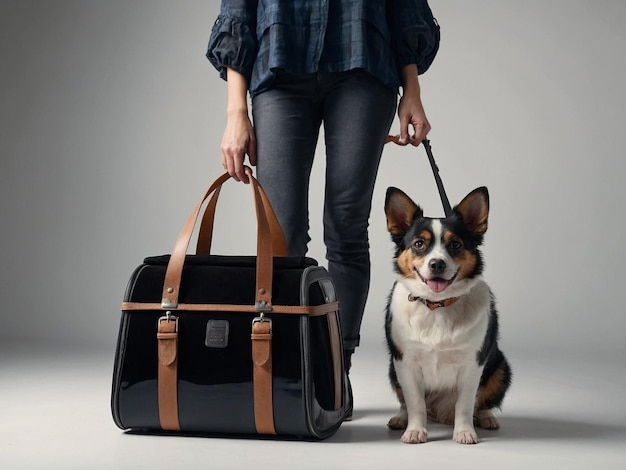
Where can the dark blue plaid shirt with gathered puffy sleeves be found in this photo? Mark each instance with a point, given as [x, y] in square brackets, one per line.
[259, 37]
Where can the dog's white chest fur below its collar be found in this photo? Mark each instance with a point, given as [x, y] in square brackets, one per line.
[441, 344]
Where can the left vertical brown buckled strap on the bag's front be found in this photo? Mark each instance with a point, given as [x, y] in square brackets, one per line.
[167, 336]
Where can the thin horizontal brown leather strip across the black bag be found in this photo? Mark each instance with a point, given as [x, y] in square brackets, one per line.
[313, 311]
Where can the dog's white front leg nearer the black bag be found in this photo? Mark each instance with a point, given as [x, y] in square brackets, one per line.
[412, 382]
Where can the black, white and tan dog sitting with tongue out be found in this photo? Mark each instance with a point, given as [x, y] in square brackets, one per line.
[441, 322]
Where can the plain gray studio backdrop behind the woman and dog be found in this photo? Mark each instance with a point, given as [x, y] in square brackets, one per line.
[111, 119]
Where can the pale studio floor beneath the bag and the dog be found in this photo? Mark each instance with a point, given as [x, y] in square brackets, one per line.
[561, 413]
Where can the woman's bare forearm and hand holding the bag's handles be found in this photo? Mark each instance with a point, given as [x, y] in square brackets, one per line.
[238, 139]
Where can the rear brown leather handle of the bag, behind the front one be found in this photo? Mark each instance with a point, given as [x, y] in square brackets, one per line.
[205, 234]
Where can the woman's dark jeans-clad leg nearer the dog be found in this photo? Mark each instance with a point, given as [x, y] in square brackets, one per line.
[358, 112]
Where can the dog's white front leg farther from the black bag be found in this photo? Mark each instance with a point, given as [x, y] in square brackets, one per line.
[468, 381]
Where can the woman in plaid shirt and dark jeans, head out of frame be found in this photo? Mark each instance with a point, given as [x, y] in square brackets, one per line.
[338, 63]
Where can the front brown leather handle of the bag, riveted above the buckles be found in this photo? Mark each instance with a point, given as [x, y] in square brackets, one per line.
[264, 267]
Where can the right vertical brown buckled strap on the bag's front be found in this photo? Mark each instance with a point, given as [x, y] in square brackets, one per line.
[262, 379]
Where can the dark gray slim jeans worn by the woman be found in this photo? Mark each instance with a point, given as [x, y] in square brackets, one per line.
[356, 111]
